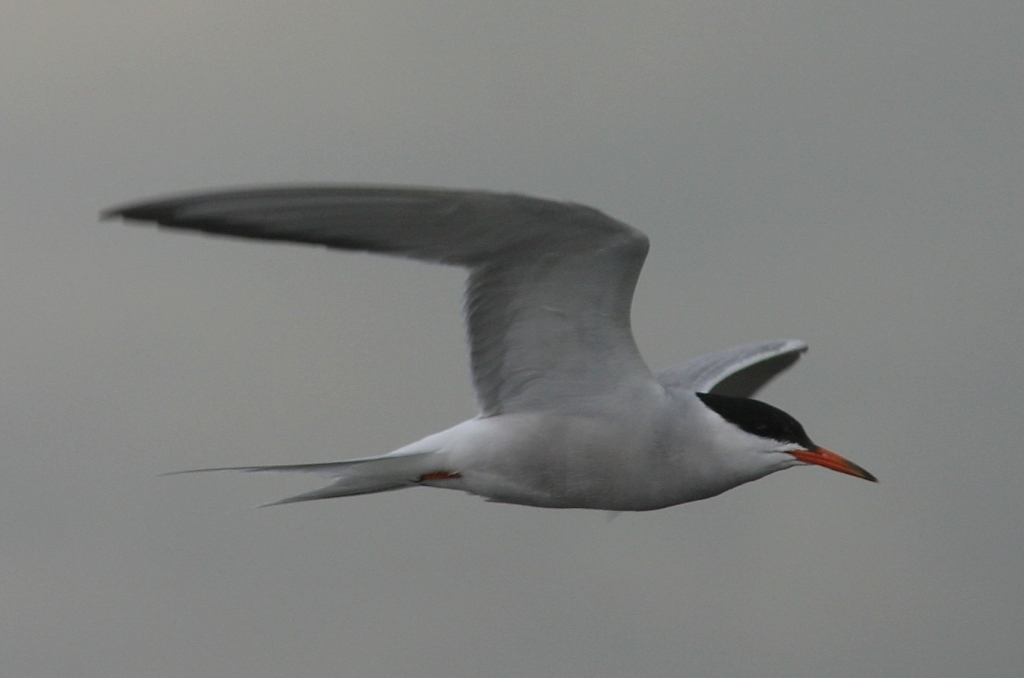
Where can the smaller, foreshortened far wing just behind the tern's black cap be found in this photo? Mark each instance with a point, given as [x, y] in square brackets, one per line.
[741, 371]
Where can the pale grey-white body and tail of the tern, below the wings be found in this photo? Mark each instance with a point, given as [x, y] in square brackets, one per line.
[652, 451]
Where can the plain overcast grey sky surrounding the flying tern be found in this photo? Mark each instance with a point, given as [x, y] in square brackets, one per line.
[851, 175]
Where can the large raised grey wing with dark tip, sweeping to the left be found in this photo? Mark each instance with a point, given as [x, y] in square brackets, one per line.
[550, 284]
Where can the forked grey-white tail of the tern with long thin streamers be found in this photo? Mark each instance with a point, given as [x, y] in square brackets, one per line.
[356, 477]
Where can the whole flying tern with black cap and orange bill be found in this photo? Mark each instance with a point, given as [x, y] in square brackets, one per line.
[570, 415]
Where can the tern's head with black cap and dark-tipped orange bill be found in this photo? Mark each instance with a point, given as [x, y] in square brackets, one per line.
[777, 439]
